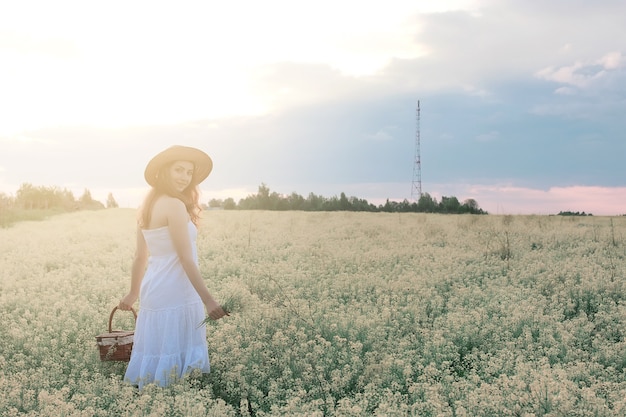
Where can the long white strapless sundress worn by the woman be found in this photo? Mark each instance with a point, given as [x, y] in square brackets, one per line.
[169, 341]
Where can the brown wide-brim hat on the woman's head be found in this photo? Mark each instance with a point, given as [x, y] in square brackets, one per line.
[201, 161]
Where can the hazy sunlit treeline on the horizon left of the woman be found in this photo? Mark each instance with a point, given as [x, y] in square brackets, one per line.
[30, 197]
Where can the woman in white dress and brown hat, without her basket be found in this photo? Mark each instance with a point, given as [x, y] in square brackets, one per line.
[169, 341]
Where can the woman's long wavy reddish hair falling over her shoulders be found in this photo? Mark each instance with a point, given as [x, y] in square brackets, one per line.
[190, 196]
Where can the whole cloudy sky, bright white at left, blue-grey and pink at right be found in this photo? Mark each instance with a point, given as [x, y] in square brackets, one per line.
[522, 102]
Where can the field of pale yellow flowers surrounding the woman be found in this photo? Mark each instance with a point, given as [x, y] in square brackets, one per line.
[333, 314]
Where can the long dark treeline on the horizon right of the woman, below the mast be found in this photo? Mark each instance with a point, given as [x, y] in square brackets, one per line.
[266, 200]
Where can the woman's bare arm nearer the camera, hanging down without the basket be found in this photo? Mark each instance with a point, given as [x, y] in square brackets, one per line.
[177, 223]
